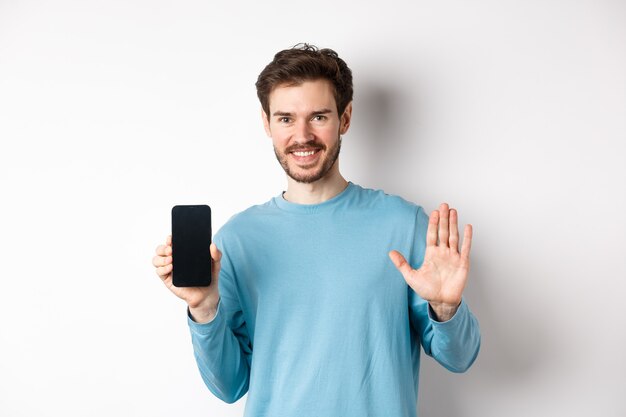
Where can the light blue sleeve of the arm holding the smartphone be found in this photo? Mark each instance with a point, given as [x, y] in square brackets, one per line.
[222, 347]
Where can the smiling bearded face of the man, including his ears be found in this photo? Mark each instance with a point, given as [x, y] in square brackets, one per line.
[305, 129]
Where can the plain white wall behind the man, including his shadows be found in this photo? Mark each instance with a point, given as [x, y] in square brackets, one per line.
[113, 111]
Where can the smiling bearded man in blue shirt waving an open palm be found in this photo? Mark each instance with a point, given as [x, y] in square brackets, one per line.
[312, 316]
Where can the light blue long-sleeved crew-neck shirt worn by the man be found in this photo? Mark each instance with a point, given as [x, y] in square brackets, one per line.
[315, 320]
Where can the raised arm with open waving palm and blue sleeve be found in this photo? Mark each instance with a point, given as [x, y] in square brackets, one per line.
[447, 329]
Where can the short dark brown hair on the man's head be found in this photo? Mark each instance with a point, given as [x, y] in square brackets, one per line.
[302, 63]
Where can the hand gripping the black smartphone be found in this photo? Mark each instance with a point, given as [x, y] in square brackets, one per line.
[202, 301]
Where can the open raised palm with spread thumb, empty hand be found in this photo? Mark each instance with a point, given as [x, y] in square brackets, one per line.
[443, 274]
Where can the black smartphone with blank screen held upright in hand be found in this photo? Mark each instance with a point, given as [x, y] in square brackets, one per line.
[191, 238]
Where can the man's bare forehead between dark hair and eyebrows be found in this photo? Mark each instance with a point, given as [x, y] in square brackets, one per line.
[304, 97]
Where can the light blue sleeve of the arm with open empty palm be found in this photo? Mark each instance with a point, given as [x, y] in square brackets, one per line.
[454, 343]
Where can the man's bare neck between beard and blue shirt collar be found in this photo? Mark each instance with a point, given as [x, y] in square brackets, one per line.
[316, 192]
